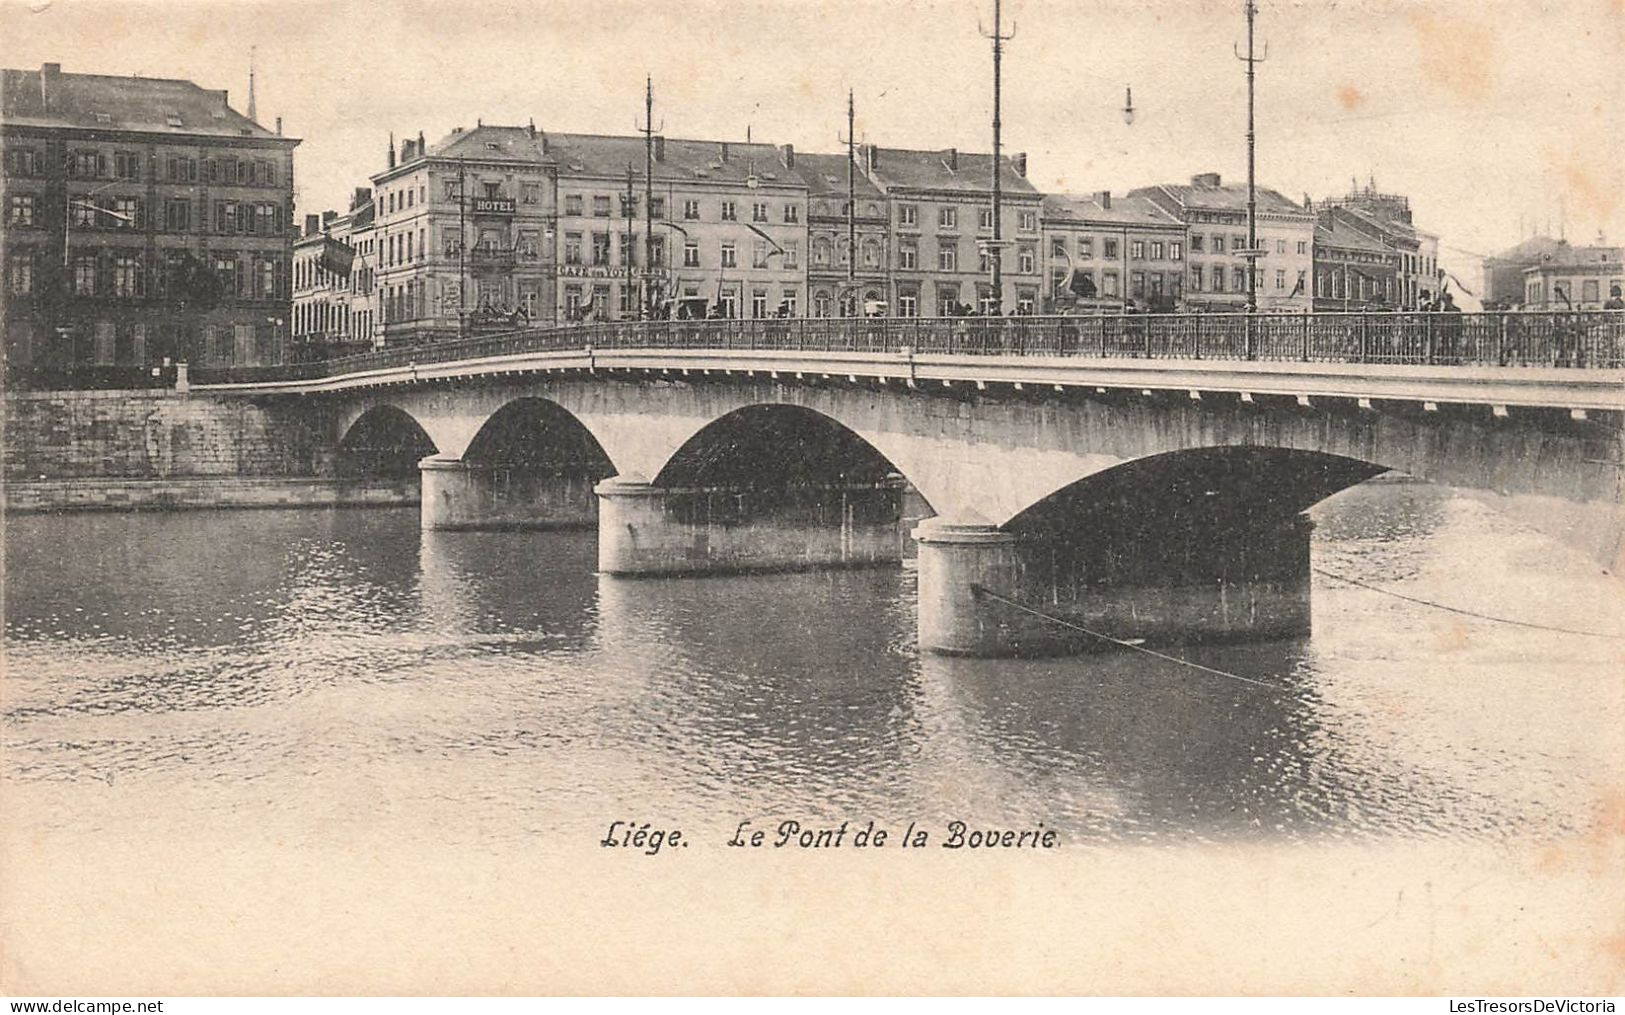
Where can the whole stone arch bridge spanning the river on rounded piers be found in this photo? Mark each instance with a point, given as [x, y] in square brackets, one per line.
[1146, 495]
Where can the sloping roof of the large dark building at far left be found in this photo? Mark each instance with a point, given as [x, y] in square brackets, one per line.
[51, 98]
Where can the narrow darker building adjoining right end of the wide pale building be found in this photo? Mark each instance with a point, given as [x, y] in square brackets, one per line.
[833, 290]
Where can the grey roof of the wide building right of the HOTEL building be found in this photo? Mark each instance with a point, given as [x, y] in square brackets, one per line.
[682, 160]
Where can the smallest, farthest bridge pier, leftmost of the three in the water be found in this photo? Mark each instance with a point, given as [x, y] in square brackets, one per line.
[462, 495]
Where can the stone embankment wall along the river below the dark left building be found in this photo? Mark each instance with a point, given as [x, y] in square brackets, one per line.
[128, 451]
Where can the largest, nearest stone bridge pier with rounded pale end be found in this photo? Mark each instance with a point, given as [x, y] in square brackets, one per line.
[986, 592]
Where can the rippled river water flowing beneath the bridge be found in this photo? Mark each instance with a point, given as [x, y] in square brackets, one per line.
[298, 676]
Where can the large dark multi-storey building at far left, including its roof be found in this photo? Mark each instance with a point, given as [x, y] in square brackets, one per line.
[145, 220]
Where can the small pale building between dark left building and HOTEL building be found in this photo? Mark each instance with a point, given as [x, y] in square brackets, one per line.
[336, 295]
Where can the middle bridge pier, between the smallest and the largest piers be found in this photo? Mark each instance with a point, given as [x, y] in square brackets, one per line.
[652, 530]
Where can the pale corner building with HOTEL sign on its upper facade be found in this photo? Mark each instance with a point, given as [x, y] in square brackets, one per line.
[462, 235]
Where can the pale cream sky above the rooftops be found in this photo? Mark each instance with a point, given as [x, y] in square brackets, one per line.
[1497, 118]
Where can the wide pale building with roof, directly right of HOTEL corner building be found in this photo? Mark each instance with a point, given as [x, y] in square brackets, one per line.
[730, 227]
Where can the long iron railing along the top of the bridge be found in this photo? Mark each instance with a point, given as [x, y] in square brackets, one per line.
[1580, 340]
